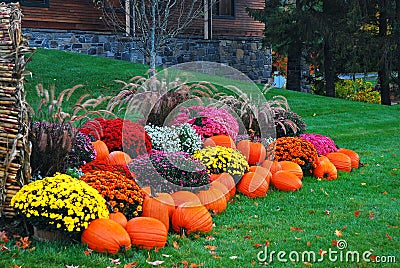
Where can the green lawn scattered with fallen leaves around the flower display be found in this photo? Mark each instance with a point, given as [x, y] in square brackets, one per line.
[308, 220]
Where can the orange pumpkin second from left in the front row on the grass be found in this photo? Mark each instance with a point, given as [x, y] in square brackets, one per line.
[147, 232]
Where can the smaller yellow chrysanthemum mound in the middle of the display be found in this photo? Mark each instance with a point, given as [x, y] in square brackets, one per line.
[220, 159]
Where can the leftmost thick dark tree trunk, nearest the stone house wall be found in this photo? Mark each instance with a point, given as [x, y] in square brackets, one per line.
[294, 68]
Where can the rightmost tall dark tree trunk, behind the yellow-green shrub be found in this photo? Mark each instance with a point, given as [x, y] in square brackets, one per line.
[384, 73]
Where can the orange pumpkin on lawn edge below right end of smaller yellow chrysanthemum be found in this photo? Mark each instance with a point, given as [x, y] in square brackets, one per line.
[253, 185]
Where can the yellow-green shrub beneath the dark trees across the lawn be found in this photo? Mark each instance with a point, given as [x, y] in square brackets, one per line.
[358, 90]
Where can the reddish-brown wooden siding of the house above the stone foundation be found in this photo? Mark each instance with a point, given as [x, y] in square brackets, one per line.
[82, 15]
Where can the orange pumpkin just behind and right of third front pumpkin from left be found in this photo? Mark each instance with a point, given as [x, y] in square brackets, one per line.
[213, 199]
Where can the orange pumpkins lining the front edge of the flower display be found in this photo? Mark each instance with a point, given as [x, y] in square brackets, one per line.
[185, 212]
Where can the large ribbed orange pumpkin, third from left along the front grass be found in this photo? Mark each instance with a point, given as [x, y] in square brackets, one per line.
[190, 217]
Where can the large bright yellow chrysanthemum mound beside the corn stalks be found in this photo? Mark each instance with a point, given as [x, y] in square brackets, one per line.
[60, 203]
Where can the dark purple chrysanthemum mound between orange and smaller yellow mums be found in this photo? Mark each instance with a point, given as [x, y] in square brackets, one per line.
[168, 172]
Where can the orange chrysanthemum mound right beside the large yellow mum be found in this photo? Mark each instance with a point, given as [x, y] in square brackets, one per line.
[121, 192]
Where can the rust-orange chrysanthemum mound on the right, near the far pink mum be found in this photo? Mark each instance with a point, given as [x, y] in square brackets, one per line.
[297, 150]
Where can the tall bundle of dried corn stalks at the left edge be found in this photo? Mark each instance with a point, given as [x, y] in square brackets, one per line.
[14, 144]
